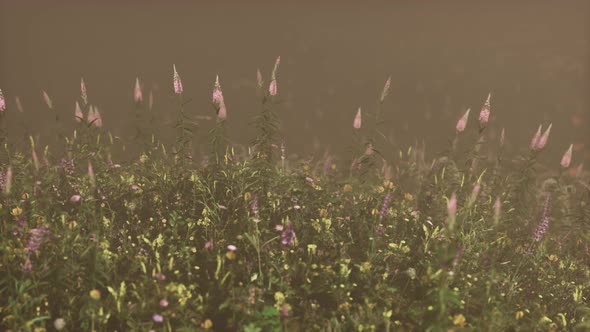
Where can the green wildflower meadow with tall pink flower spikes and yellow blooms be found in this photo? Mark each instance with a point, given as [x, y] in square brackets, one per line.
[242, 236]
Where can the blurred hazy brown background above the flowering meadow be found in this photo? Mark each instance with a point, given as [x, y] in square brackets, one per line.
[533, 56]
